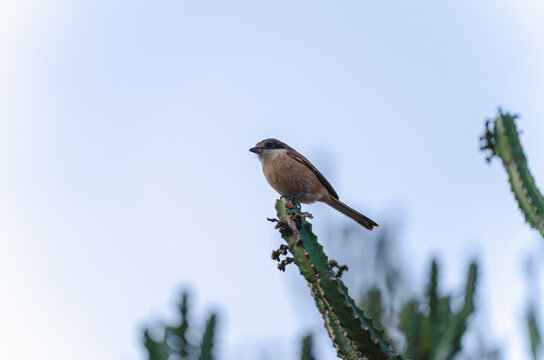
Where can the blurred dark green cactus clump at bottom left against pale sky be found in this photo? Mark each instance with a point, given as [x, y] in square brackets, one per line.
[174, 342]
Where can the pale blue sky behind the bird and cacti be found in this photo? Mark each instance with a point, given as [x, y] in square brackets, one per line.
[125, 172]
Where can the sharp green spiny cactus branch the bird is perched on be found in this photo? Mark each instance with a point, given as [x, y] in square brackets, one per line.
[353, 334]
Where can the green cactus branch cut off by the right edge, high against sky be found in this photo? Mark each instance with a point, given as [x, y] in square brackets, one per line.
[503, 141]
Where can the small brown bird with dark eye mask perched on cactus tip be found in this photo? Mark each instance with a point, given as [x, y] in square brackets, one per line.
[293, 175]
